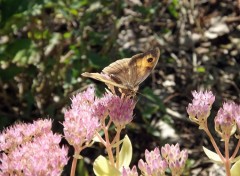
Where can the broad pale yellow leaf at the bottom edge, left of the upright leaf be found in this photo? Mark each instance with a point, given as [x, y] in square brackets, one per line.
[102, 167]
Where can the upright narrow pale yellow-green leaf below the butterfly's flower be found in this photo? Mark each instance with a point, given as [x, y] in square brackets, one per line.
[125, 155]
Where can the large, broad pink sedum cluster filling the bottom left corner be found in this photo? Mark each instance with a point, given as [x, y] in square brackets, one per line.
[32, 149]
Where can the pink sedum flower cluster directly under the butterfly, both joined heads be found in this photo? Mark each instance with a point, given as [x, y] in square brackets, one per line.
[87, 113]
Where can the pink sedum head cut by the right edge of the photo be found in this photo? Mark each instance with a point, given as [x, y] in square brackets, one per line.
[225, 123]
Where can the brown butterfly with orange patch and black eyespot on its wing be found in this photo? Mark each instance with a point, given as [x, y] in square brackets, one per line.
[124, 76]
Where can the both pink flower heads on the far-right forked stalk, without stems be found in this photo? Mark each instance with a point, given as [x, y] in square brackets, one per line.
[227, 119]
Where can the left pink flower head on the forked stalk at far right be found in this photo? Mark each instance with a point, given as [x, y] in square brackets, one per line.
[200, 107]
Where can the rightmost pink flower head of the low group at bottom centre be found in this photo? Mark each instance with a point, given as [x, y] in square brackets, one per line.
[175, 158]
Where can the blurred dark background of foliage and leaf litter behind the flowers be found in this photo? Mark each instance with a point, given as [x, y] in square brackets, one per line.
[45, 45]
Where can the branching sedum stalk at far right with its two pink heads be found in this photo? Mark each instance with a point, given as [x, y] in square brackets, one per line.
[227, 123]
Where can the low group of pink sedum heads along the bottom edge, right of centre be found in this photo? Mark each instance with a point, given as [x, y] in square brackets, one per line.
[157, 164]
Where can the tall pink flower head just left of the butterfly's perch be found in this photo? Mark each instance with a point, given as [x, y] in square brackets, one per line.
[80, 121]
